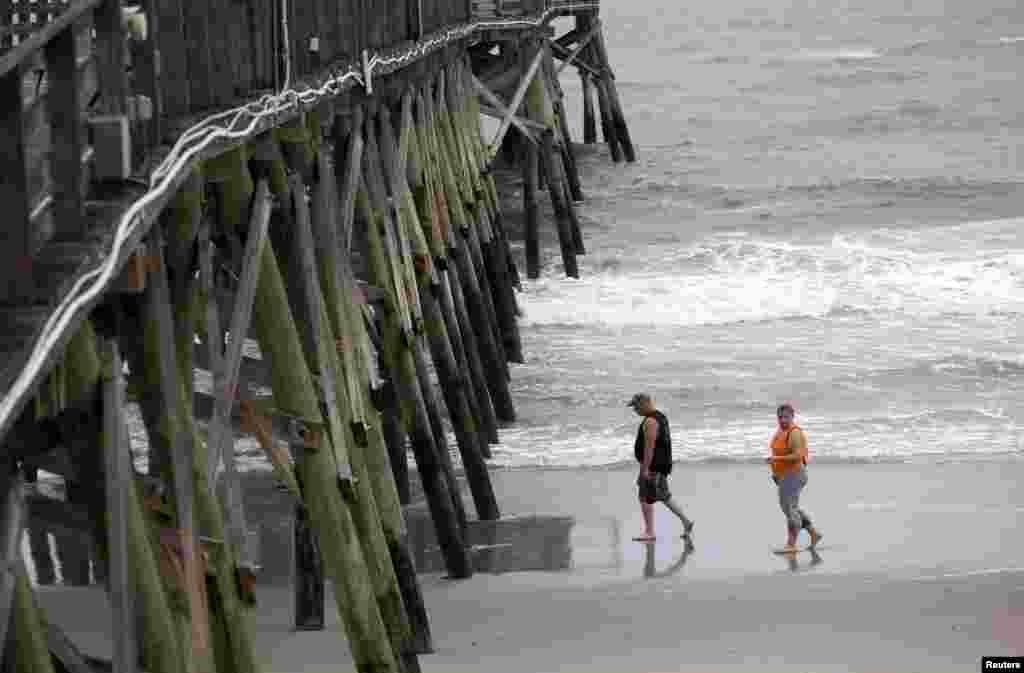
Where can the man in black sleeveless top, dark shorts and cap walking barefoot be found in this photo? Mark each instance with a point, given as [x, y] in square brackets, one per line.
[654, 452]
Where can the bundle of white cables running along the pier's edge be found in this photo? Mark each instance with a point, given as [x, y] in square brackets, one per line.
[190, 145]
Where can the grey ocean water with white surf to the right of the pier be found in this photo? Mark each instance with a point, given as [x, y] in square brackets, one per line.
[827, 208]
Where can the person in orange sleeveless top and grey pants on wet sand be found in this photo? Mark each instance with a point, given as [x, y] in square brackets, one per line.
[789, 469]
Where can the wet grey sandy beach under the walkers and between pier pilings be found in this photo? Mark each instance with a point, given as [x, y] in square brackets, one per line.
[920, 571]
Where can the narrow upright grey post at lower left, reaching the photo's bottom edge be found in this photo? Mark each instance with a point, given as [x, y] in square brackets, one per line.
[118, 476]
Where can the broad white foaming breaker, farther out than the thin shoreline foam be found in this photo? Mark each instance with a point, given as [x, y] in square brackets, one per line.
[723, 280]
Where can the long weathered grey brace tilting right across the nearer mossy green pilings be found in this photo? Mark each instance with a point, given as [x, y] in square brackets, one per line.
[226, 387]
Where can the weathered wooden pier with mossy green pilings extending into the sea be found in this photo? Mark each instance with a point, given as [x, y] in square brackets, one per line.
[182, 177]
